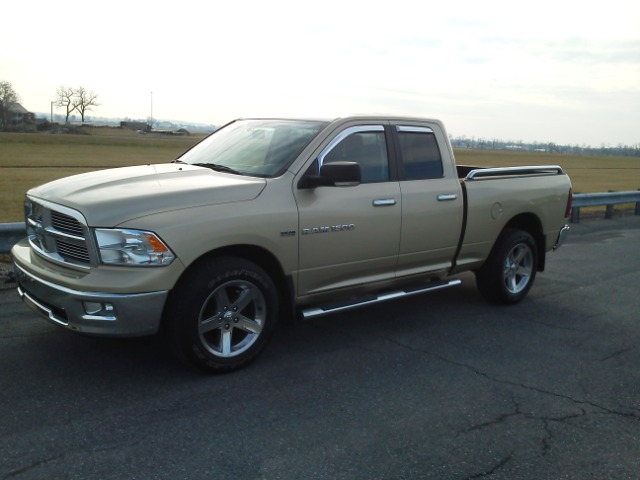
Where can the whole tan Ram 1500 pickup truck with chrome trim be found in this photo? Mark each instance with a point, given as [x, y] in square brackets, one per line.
[269, 218]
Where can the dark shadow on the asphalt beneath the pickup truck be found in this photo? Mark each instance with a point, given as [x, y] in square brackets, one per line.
[431, 321]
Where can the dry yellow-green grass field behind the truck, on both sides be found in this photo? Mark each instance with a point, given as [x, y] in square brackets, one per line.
[27, 160]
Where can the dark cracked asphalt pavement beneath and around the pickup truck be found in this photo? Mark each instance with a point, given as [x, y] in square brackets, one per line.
[441, 386]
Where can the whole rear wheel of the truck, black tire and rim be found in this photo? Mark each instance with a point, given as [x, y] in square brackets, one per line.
[509, 272]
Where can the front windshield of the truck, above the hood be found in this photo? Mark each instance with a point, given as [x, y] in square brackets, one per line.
[261, 148]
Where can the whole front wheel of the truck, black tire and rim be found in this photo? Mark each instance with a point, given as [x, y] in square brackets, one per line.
[221, 314]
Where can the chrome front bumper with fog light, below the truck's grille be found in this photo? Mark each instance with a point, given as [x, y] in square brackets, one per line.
[104, 314]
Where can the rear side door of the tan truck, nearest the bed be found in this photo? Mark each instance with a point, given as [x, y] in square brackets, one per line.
[432, 203]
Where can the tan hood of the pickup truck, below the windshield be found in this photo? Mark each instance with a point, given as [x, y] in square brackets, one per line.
[109, 197]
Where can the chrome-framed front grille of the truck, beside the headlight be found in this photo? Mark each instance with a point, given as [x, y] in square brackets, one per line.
[58, 233]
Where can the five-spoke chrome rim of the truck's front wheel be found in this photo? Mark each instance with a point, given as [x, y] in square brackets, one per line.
[232, 318]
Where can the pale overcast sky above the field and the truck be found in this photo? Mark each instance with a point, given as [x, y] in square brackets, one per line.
[550, 71]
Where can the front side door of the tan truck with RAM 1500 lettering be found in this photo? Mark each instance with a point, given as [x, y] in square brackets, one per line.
[350, 235]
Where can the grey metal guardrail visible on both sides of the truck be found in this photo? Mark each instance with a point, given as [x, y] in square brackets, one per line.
[10, 233]
